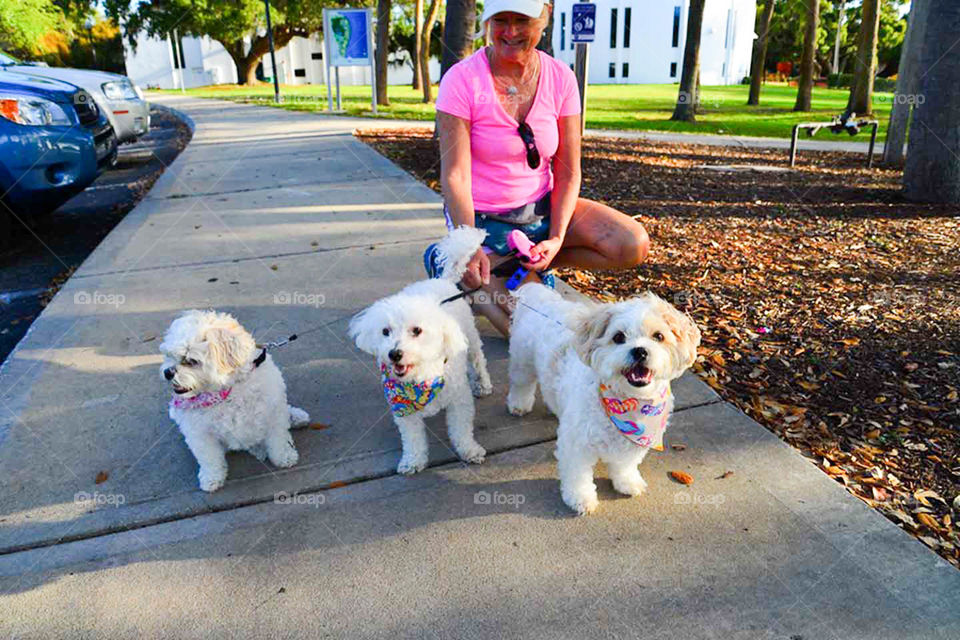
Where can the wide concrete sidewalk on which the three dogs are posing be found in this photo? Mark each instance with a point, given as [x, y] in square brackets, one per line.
[287, 221]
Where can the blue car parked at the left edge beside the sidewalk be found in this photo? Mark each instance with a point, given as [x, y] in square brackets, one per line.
[54, 141]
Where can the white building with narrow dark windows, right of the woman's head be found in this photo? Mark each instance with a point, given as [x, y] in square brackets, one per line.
[642, 42]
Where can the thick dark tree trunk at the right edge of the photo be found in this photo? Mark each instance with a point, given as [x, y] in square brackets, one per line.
[932, 173]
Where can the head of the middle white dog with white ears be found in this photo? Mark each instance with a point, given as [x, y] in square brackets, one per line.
[412, 336]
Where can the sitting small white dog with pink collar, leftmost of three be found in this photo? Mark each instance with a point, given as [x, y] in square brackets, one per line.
[228, 395]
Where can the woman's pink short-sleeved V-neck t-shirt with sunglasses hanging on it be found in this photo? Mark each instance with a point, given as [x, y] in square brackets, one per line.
[501, 178]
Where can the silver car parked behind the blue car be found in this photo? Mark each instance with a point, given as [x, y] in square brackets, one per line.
[116, 95]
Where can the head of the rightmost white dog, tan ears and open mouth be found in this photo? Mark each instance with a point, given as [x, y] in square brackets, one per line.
[633, 344]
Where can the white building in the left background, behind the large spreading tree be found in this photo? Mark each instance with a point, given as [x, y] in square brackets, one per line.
[153, 64]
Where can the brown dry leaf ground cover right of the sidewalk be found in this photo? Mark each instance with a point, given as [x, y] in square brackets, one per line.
[829, 305]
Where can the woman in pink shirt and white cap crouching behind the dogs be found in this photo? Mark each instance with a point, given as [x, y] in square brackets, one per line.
[509, 127]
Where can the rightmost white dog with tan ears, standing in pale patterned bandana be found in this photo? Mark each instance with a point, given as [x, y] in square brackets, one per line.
[605, 372]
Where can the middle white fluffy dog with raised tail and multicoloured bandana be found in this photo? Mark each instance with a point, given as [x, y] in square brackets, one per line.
[430, 355]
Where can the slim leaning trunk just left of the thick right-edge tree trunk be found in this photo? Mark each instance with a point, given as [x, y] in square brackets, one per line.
[907, 81]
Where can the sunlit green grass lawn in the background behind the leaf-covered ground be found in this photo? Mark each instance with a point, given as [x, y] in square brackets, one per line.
[641, 107]
